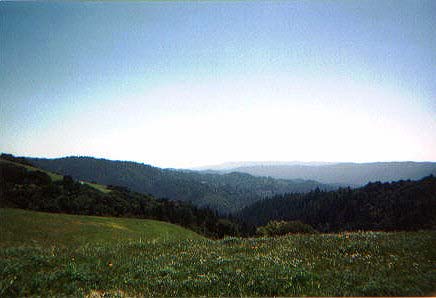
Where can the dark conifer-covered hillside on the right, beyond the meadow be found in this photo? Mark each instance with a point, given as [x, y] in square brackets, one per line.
[402, 205]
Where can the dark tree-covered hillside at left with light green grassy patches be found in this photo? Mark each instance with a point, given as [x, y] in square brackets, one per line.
[26, 187]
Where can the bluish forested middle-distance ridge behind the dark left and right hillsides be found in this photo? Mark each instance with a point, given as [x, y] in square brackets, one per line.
[223, 192]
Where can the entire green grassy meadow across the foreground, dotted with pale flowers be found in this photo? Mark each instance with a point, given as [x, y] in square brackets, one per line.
[372, 263]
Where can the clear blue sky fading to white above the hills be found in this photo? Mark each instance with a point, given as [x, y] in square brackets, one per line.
[186, 84]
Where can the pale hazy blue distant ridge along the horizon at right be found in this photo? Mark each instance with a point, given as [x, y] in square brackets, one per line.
[352, 174]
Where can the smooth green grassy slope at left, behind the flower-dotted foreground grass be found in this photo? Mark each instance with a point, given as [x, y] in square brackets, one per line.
[46, 229]
